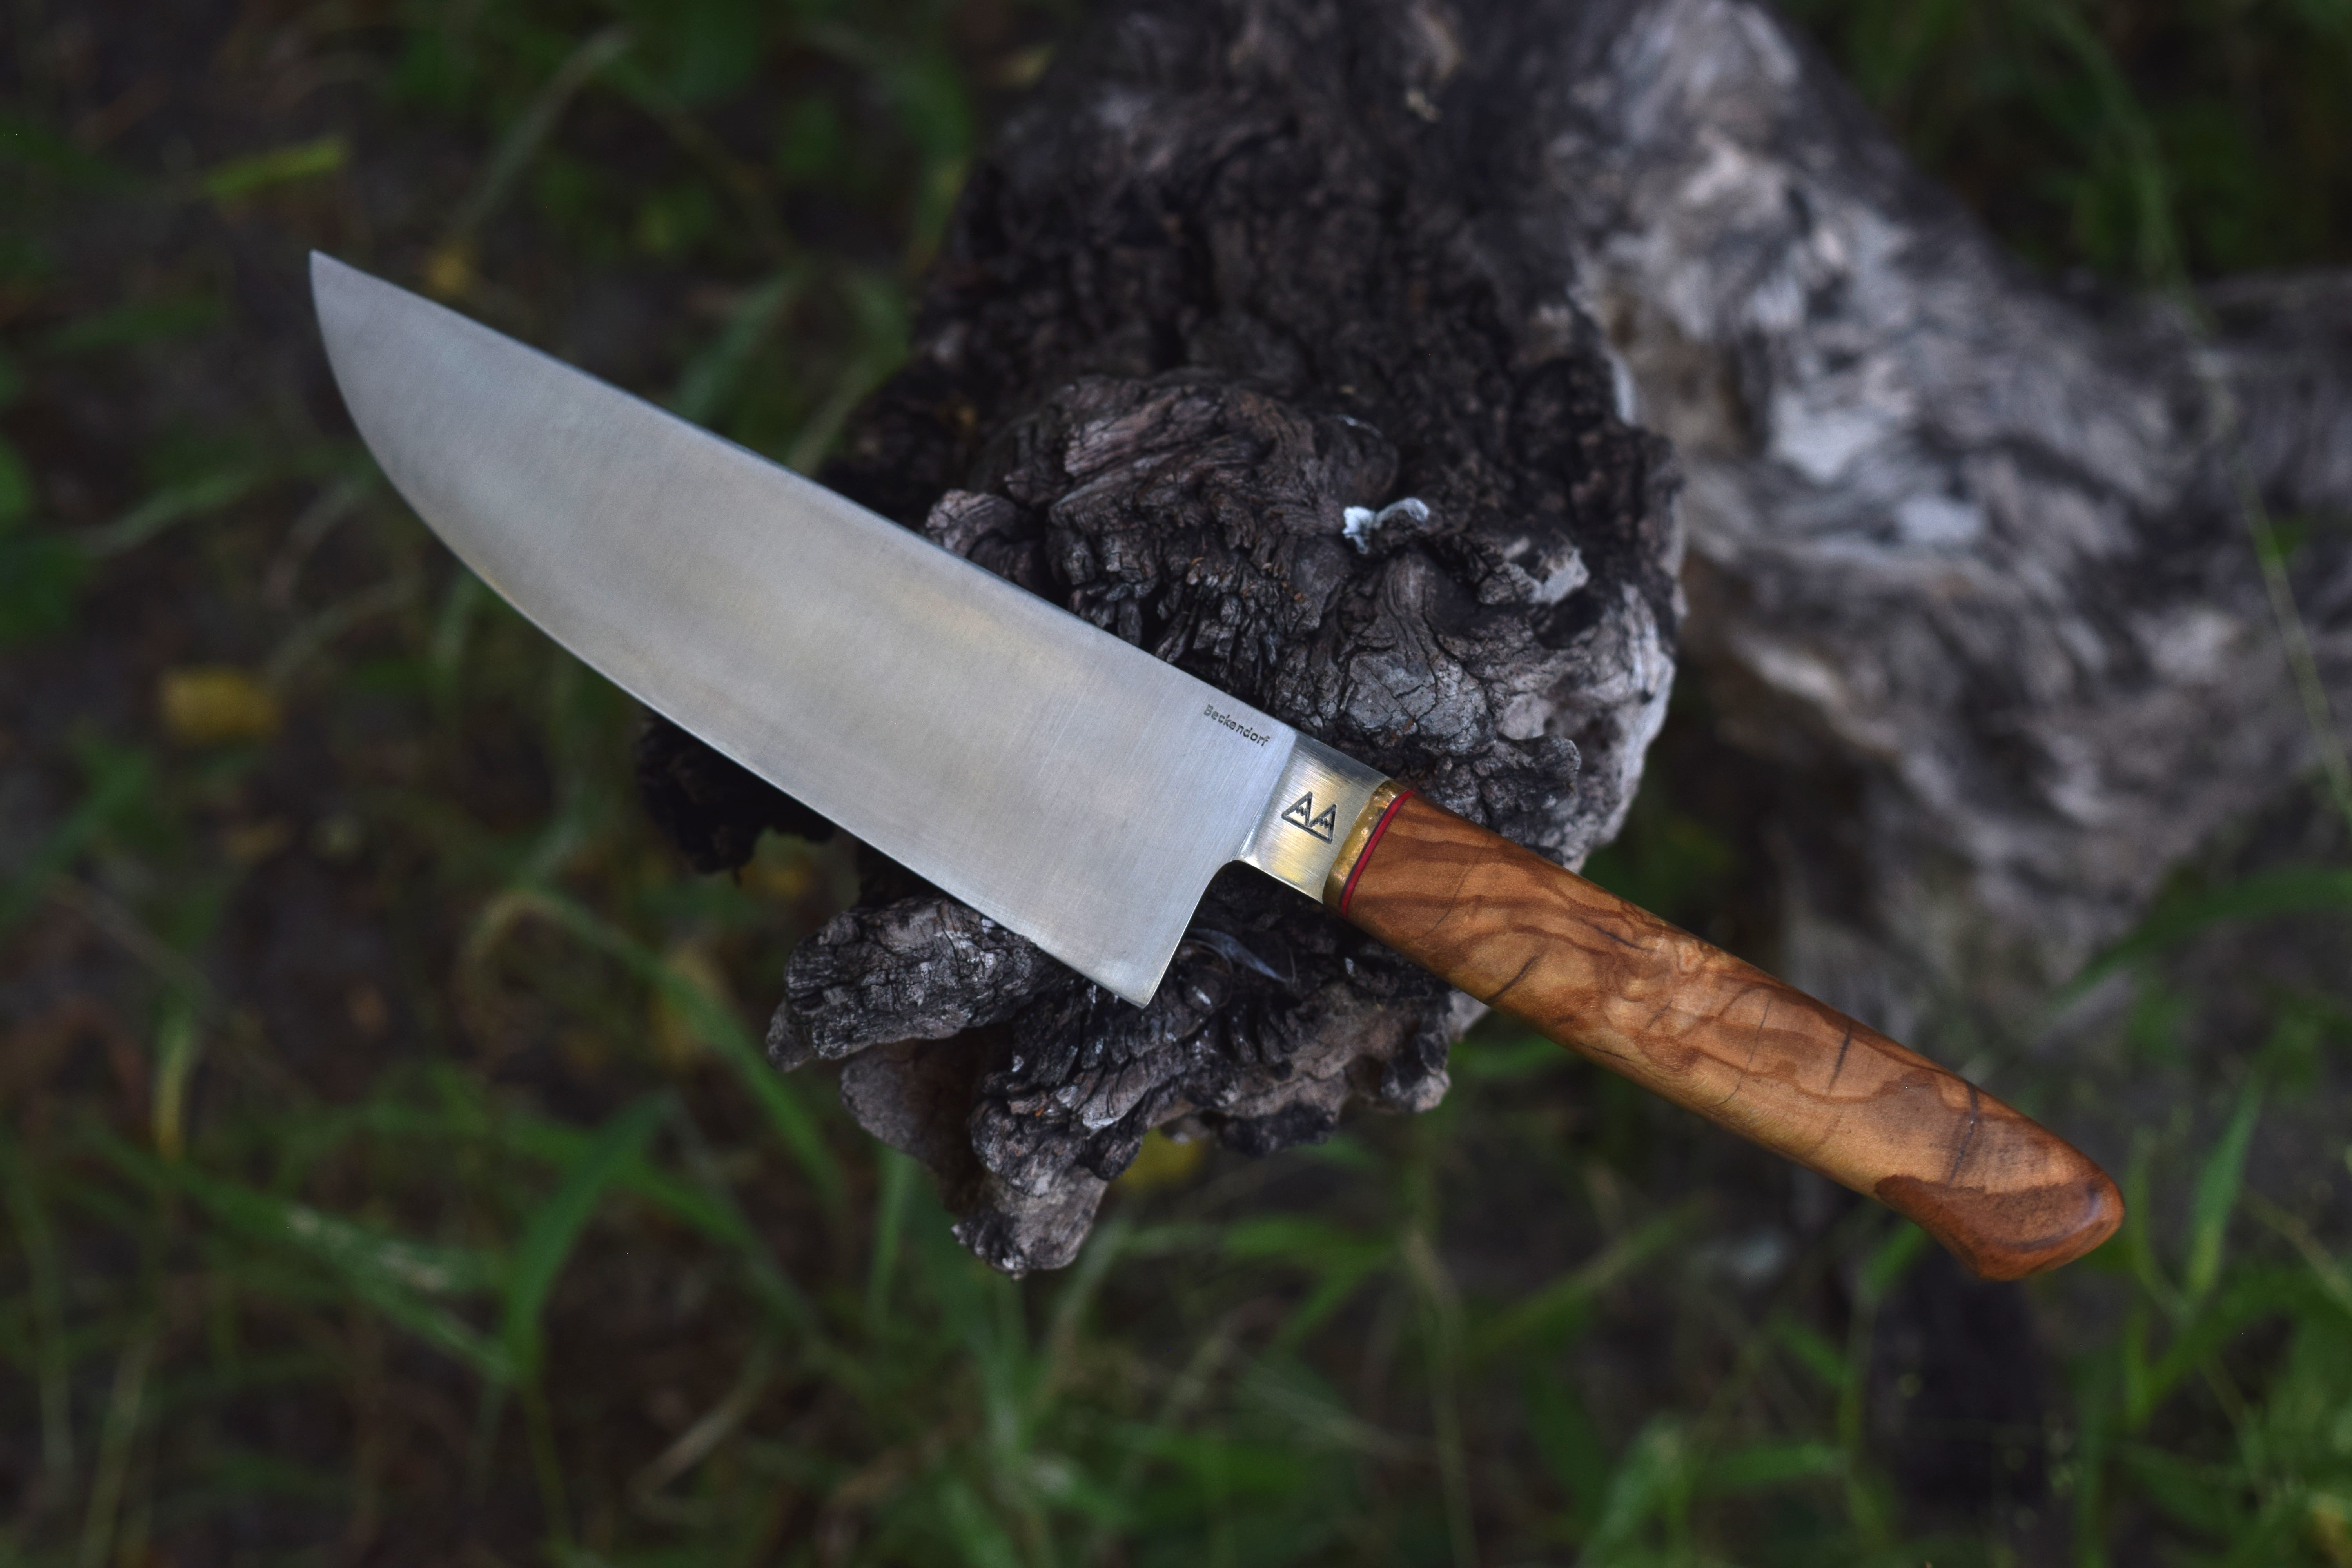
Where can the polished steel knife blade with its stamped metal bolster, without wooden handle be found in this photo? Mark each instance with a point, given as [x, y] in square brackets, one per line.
[1024, 760]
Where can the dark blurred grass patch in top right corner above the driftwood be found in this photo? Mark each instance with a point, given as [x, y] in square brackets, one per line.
[2139, 142]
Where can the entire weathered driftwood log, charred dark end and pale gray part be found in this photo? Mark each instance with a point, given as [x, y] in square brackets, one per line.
[1304, 347]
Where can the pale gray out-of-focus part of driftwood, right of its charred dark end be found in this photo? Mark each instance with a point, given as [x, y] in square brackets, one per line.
[1967, 542]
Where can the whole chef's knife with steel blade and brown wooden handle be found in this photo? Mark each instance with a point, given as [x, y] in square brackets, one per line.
[1083, 793]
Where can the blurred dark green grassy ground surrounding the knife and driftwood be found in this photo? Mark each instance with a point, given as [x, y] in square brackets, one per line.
[389, 1167]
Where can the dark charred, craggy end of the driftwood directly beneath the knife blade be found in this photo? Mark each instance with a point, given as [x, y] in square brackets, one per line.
[1236, 351]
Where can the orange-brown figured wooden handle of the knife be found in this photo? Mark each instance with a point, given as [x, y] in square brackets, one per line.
[1718, 1036]
